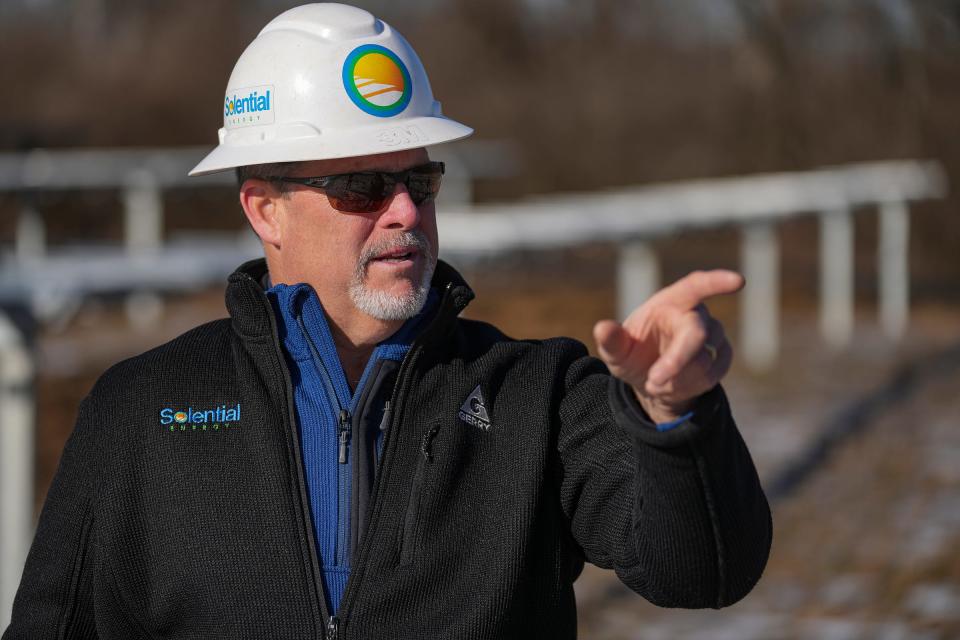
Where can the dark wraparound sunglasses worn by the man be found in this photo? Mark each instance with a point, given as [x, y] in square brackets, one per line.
[369, 191]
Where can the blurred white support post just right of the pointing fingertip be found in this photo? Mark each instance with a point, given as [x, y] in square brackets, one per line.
[760, 308]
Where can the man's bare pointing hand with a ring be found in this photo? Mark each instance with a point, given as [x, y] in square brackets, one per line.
[670, 349]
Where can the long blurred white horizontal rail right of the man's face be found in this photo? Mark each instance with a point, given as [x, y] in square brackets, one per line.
[654, 210]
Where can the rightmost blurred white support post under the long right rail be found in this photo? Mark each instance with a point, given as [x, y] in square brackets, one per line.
[893, 267]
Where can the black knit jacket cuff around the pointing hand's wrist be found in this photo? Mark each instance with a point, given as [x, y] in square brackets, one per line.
[632, 418]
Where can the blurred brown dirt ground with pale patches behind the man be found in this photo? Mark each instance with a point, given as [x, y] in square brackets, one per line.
[868, 548]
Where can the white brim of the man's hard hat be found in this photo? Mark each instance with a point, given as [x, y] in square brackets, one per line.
[411, 133]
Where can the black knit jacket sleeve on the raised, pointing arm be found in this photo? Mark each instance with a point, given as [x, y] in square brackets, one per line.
[680, 514]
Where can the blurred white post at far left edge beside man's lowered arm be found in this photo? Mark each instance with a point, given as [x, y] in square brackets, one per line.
[16, 461]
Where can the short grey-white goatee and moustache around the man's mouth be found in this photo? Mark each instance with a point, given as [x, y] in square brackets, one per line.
[387, 306]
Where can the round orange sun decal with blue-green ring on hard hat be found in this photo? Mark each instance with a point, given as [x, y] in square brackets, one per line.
[377, 81]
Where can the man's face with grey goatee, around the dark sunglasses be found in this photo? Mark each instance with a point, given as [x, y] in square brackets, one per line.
[380, 263]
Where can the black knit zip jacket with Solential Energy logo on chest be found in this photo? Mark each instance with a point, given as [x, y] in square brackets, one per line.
[155, 531]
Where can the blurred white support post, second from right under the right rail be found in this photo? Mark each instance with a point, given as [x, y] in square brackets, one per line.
[836, 277]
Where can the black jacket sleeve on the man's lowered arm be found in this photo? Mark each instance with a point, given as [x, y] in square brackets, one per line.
[54, 599]
